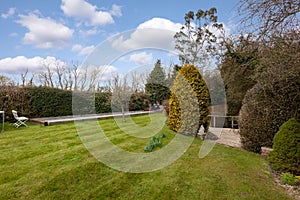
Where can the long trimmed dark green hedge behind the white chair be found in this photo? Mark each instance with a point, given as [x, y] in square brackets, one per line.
[51, 102]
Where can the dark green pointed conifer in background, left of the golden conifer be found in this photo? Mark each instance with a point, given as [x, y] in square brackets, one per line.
[156, 85]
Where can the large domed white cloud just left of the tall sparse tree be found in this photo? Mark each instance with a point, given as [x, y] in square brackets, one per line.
[154, 33]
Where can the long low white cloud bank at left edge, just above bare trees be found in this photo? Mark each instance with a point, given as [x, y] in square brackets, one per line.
[20, 64]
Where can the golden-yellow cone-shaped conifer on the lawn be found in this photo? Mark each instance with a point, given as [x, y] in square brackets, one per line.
[189, 102]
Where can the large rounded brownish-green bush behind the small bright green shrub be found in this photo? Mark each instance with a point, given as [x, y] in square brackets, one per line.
[266, 107]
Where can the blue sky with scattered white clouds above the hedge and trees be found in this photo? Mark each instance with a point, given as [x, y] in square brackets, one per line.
[66, 31]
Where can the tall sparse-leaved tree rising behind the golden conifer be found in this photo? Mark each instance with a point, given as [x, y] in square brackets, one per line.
[199, 38]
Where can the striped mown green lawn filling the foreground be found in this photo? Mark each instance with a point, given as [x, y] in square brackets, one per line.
[52, 163]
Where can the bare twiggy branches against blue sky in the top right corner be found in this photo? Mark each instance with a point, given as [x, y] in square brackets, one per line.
[268, 16]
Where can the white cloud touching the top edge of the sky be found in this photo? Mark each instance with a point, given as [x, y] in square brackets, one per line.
[84, 10]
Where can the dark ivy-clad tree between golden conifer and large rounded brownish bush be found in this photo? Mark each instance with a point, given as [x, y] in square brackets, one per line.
[237, 70]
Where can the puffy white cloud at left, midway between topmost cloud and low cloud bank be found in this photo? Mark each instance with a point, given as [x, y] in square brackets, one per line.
[44, 32]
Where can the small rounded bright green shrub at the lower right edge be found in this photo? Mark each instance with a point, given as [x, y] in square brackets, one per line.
[286, 148]
